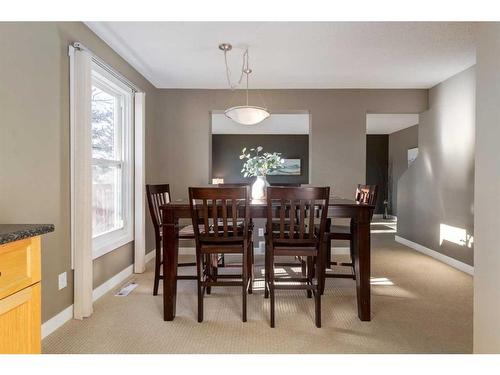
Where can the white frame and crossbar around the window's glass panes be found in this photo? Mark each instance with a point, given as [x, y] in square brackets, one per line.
[109, 241]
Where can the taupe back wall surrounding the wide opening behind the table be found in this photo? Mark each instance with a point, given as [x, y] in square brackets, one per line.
[182, 140]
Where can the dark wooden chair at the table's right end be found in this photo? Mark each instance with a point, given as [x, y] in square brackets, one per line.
[366, 194]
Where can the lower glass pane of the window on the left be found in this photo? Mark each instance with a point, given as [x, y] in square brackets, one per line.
[106, 199]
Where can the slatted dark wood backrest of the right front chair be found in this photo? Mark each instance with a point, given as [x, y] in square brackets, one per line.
[296, 209]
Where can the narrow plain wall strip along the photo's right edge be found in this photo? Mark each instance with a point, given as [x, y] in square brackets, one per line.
[487, 199]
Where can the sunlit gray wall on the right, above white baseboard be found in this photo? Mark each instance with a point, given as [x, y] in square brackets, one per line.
[438, 188]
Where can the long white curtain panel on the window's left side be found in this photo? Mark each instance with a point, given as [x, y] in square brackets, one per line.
[81, 181]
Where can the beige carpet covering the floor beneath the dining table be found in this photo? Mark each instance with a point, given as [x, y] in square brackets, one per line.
[419, 305]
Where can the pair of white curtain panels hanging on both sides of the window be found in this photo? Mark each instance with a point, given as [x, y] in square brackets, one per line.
[81, 179]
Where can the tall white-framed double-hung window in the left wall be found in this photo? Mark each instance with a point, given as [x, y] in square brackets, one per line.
[112, 162]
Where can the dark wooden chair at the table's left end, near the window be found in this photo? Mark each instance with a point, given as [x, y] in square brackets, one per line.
[157, 196]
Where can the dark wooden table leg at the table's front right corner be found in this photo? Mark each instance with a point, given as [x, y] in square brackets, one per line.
[361, 236]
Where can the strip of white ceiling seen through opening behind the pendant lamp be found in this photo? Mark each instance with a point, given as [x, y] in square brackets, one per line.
[277, 123]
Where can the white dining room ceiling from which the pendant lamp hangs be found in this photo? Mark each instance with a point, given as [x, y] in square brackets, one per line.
[294, 54]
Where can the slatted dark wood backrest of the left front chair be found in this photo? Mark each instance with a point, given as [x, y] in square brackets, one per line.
[223, 213]
